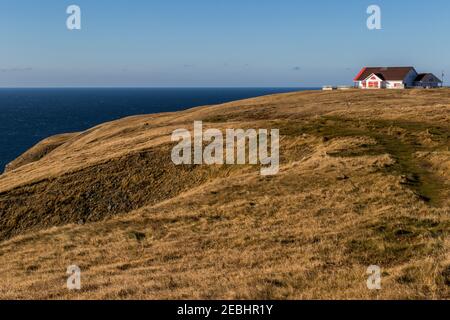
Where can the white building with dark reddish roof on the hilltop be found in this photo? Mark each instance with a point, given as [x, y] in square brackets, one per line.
[394, 78]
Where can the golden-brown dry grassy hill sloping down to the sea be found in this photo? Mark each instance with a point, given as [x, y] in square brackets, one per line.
[364, 180]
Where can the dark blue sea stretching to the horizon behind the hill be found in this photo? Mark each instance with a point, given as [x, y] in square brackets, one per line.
[30, 115]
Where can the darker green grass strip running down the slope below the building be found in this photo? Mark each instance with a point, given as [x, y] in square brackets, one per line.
[400, 139]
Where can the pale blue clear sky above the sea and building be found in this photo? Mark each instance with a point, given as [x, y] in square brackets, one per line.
[216, 43]
